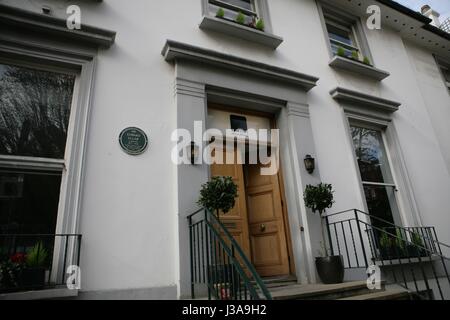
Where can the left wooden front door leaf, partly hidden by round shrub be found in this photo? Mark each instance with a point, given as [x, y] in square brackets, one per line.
[236, 220]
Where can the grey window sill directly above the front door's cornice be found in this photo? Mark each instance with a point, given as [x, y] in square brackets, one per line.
[240, 31]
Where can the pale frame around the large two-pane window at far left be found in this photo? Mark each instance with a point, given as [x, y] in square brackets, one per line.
[81, 63]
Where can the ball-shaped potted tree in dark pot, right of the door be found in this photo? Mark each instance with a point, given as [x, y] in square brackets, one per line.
[319, 198]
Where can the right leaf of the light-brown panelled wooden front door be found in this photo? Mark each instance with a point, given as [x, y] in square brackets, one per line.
[269, 252]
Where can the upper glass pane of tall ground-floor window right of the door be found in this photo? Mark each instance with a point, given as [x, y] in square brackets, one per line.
[371, 155]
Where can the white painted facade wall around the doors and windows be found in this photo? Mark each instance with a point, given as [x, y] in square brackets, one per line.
[129, 214]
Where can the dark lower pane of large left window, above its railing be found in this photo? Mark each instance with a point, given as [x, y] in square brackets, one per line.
[28, 201]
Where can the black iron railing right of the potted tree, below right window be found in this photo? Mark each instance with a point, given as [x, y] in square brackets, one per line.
[411, 257]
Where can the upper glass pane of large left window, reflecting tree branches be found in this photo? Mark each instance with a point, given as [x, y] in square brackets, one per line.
[34, 111]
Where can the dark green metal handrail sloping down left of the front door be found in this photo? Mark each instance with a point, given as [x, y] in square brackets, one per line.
[251, 281]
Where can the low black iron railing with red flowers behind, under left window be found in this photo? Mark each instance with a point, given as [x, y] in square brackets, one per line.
[37, 261]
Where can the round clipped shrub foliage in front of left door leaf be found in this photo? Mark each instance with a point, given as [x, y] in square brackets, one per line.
[218, 194]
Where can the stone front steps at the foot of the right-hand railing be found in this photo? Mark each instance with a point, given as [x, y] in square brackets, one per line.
[355, 290]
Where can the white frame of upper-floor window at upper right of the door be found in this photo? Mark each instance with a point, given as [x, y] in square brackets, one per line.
[343, 20]
